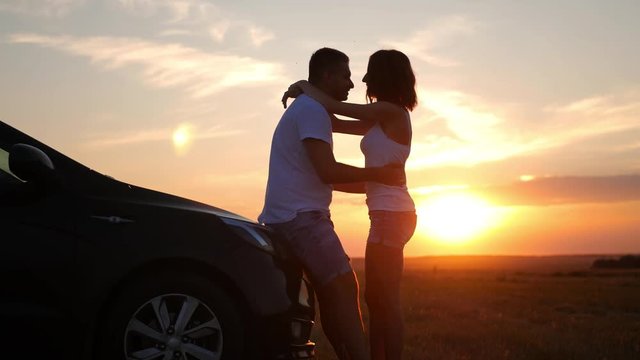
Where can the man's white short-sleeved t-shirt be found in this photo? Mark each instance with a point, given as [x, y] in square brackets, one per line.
[293, 185]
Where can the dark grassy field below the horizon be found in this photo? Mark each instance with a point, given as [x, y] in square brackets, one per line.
[514, 308]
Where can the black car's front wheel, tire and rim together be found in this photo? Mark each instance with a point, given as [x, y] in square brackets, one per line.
[173, 317]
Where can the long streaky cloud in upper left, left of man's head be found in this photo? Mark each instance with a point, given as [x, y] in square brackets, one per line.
[199, 73]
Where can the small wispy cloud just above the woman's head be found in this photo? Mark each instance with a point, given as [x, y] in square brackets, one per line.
[423, 44]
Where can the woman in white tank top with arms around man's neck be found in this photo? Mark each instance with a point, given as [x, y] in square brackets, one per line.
[385, 124]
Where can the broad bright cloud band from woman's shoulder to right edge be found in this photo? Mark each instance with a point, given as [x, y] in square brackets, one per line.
[453, 128]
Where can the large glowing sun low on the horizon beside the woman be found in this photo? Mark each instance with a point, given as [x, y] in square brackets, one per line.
[455, 218]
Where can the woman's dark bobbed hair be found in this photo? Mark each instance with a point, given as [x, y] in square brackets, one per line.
[390, 78]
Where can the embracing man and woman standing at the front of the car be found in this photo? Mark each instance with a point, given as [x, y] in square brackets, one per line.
[303, 172]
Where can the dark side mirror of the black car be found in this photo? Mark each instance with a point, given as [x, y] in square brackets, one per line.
[31, 164]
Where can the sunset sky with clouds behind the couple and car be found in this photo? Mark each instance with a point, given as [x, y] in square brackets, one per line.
[526, 139]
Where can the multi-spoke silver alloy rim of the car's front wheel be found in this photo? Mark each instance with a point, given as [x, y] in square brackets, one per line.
[173, 327]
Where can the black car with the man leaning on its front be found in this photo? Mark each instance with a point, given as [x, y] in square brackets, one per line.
[95, 268]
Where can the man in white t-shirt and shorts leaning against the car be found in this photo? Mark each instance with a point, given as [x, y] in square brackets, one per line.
[302, 169]
